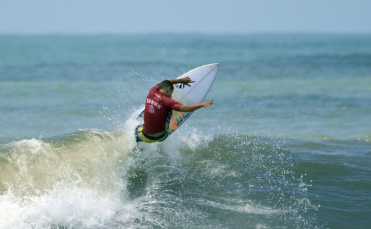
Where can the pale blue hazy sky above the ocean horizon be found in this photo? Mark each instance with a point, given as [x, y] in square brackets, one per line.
[184, 16]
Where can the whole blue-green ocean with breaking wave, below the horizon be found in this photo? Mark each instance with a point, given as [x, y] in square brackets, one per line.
[287, 143]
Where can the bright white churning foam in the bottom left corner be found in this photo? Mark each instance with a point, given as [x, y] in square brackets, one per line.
[61, 206]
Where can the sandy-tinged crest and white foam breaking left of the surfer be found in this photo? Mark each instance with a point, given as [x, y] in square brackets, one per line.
[75, 182]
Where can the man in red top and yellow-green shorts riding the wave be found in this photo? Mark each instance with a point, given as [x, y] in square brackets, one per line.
[158, 108]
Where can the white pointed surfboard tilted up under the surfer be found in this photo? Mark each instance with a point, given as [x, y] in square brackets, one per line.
[204, 78]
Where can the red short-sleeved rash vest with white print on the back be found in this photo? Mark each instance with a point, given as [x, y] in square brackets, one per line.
[156, 110]
